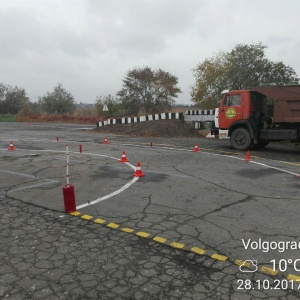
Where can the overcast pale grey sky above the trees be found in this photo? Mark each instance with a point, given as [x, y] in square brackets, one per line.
[89, 45]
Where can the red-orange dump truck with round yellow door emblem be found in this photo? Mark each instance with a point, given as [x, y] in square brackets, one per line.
[255, 117]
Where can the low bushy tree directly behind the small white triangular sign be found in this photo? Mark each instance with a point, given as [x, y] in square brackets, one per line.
[113, 104]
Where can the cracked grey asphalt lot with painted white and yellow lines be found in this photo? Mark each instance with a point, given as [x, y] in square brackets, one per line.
[180, 232]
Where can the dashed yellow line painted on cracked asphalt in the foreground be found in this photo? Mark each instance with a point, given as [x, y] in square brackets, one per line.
[196, 250]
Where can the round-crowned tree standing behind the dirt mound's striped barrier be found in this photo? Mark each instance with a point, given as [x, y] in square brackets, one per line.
[148, 91]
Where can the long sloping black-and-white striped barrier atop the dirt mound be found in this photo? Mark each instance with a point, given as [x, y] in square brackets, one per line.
[128, 120]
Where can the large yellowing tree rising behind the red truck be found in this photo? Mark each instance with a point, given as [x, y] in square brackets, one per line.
[243, 67]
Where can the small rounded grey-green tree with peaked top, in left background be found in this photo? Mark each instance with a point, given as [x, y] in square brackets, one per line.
[59, 101]
